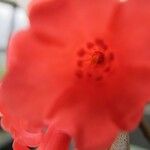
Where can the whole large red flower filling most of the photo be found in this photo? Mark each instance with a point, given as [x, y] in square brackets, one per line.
[81, 71]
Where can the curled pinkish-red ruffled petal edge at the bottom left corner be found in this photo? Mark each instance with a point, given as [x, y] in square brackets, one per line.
[20, 132]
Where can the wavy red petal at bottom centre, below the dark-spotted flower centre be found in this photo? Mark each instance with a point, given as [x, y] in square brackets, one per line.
[84, 114]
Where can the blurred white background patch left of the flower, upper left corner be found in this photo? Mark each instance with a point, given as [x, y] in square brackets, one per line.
[12, 19]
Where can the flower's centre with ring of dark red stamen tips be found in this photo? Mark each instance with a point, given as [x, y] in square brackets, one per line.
[94, 60]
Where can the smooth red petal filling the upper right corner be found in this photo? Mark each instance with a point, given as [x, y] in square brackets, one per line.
[129, 31]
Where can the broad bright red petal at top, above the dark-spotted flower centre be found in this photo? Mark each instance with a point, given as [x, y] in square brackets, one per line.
[71, 19]
